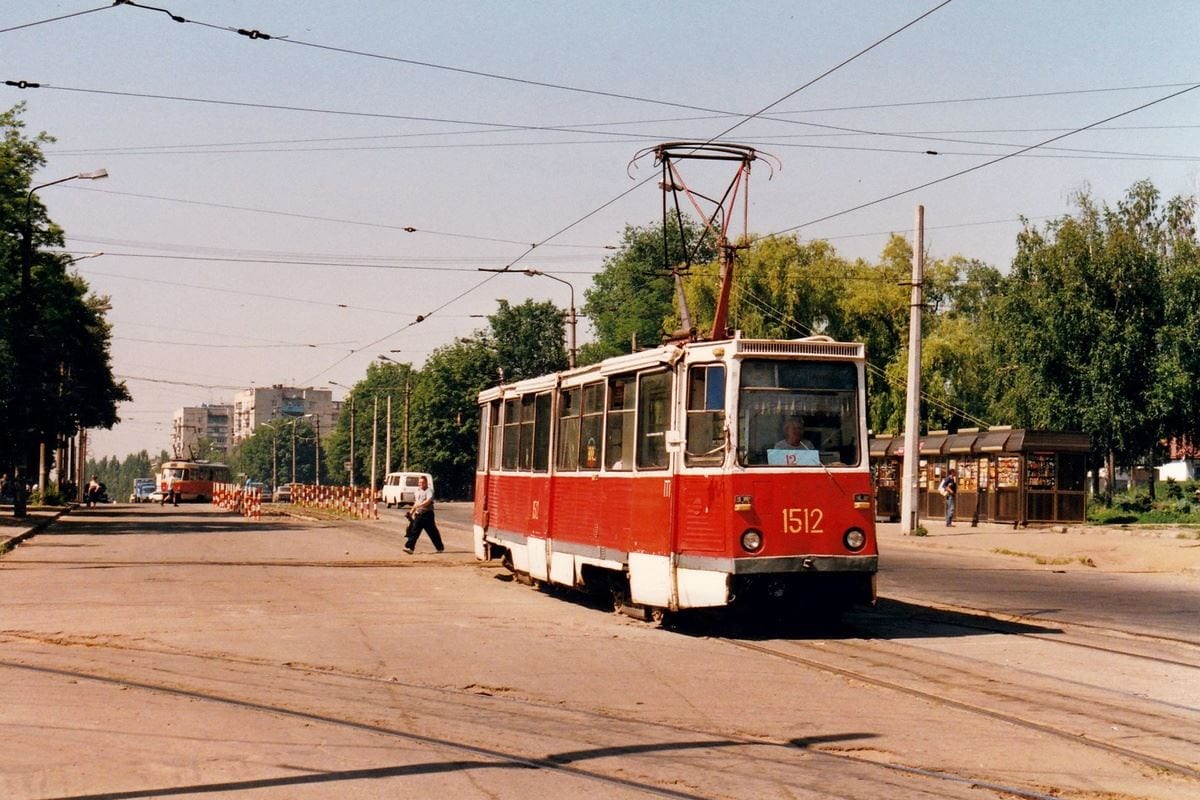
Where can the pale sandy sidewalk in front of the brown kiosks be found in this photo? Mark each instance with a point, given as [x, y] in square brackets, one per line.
[1108, 549]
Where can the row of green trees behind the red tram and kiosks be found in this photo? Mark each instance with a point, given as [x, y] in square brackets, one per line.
[1093, 329]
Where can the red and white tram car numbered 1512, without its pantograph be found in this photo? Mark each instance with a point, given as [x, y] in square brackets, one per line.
[693, 476]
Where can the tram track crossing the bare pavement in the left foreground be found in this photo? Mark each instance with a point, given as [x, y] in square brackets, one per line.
[494, 709]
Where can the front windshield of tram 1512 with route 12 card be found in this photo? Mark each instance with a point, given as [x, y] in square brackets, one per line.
[799, 414]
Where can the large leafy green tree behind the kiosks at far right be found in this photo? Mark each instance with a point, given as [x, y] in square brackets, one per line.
[1093, 314]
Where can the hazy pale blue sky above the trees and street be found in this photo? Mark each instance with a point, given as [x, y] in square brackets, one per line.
[253, 245]
